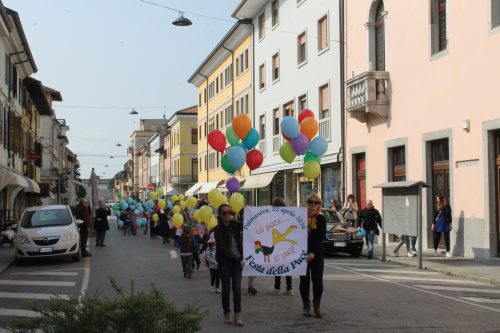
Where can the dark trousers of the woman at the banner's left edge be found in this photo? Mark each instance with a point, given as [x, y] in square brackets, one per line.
[230, 274]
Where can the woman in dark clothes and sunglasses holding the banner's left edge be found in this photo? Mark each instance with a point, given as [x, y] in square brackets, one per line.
[229, 255]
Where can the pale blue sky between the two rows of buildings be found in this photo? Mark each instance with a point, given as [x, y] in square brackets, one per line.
[109, 56]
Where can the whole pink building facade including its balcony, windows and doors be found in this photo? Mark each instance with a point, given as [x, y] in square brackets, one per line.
[412, 117]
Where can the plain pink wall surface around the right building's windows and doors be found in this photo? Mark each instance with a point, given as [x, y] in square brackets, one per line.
[430, 97]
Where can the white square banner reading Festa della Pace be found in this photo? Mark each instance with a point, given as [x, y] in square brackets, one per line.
[274, 241]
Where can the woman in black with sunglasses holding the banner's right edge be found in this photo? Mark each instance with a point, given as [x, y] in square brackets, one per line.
[315, 261]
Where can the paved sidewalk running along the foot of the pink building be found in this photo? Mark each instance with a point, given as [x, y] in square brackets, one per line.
[487, 271]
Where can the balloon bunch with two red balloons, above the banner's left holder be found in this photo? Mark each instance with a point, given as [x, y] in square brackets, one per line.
[242, 138]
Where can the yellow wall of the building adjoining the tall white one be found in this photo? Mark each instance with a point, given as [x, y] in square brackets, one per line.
[215, 108]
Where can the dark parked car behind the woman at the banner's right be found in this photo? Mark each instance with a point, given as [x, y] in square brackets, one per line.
[340, 235]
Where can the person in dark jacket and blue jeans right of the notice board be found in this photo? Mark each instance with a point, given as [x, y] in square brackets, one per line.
[442, 224]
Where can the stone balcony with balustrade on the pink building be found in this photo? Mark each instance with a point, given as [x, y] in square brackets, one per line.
[368, 94]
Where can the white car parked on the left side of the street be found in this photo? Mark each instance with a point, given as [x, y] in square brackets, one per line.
[47, 231]
